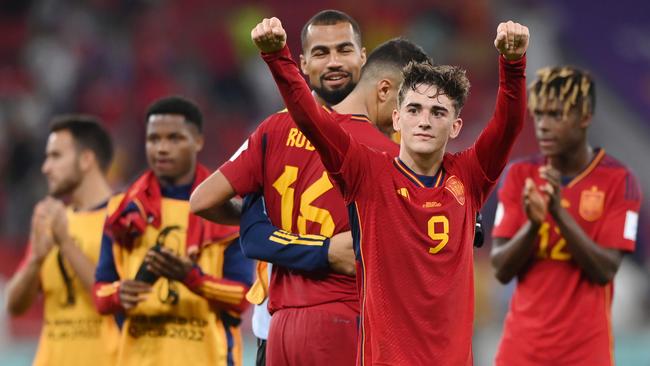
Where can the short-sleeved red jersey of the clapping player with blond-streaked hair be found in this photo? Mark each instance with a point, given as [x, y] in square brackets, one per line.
[557, 316]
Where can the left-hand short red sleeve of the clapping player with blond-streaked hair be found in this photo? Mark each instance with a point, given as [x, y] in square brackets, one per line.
[509, 216]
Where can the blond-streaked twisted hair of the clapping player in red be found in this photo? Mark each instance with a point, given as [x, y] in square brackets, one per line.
[571, 86]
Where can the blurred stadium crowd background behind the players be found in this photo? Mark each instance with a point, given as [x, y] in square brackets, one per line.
[112, 58]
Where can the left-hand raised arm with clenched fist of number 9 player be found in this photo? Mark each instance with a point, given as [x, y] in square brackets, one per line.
[330, 140]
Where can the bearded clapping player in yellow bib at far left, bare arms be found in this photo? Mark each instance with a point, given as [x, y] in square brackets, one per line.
[64, 247]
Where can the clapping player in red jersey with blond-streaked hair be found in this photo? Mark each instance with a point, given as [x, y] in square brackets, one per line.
[564, 220]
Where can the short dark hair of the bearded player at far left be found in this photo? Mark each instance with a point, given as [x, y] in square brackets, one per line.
[88, 133]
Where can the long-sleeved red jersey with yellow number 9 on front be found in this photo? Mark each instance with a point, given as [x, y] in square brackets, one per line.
[415, 242]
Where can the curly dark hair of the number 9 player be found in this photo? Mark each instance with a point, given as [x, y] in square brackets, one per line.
[449, 80]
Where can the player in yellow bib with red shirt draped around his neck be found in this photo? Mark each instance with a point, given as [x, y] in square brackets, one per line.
[177, 281]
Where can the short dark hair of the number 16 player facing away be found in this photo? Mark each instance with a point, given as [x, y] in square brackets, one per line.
[395, 53]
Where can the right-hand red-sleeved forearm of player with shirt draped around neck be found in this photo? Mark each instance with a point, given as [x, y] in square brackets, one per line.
[220, 292]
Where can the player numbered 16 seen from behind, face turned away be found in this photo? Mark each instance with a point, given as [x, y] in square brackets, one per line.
[300, 197]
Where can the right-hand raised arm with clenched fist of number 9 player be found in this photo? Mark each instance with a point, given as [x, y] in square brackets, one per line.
[495, 142]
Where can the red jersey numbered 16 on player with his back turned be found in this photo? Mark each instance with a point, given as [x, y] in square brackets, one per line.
[278, 160]
